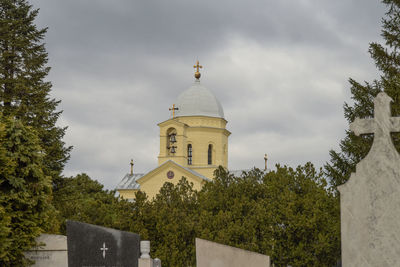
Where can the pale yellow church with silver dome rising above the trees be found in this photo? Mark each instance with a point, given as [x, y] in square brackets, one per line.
[193, 143]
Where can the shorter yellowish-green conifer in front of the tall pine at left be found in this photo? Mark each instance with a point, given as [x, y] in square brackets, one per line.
[25, 192]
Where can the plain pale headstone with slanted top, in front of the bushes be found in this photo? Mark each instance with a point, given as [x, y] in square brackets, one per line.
[211, 254]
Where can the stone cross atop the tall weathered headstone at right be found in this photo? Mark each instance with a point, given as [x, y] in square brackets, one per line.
[382, 124]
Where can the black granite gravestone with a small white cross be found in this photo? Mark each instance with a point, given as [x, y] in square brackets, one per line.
[94, 246]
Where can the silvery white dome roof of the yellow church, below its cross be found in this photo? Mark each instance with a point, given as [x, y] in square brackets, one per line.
[198, 101]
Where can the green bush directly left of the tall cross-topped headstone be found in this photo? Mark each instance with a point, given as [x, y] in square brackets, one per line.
[305, 215]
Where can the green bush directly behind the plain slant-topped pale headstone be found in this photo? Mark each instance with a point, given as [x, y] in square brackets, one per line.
[236, 211]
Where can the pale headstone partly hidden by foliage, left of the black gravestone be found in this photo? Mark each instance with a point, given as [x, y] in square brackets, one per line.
[53, 252]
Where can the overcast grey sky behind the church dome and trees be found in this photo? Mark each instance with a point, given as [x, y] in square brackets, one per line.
[279, 68]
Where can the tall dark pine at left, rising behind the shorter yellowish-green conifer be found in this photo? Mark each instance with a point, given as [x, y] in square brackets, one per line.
[24, 93]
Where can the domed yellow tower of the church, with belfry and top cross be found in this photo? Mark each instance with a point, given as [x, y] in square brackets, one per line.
[196, 136]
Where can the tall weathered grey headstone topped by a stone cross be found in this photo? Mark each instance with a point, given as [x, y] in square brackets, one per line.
[370, 199]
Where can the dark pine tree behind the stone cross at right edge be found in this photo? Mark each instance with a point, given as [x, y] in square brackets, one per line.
[387, 60]
